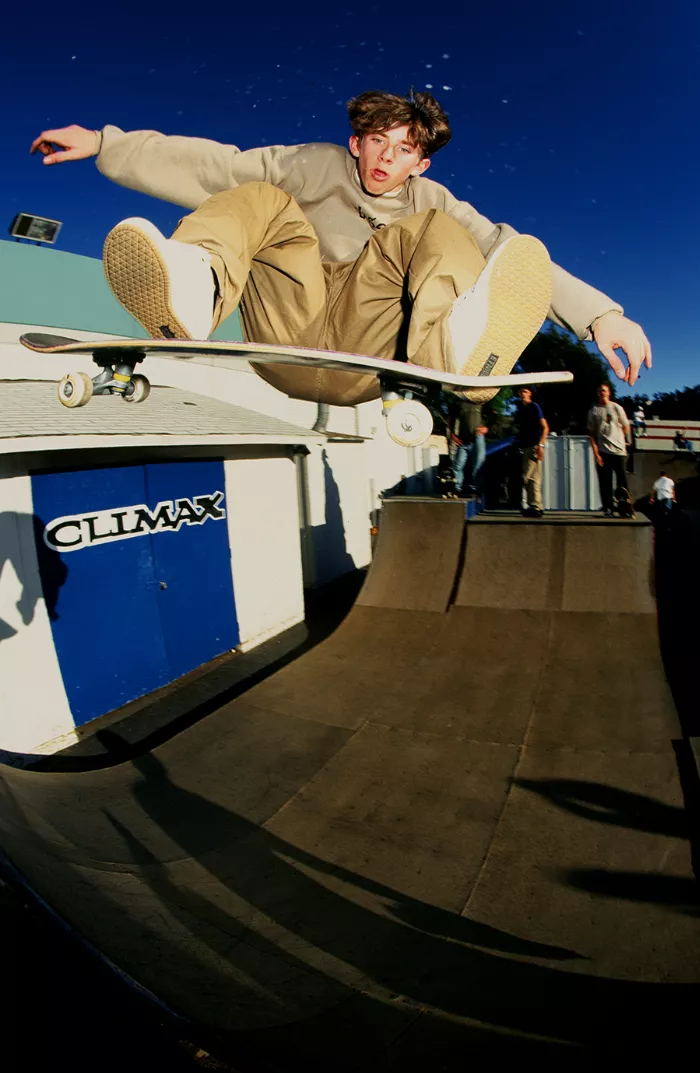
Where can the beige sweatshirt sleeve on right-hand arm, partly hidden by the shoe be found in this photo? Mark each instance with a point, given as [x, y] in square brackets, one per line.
[575, 305]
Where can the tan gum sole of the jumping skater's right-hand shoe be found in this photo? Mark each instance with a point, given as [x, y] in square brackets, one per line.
[519, 299]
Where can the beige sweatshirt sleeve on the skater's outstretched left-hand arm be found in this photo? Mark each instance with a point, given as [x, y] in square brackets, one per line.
[187, 171]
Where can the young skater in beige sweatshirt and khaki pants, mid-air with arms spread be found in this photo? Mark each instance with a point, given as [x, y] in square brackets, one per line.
[355, 252]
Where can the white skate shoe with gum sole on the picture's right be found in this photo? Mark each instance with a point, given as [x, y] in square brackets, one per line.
[493, 322]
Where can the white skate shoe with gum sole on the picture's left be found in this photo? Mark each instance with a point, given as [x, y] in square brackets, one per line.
[167, 286]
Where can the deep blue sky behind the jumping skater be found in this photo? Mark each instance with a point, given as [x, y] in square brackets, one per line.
[578, 123]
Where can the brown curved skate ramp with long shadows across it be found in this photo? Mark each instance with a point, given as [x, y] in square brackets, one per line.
[449, 835]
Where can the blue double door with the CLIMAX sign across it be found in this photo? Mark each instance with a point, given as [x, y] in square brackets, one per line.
[147, 592]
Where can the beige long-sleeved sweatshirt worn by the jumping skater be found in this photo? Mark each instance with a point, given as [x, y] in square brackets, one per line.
[324, 180]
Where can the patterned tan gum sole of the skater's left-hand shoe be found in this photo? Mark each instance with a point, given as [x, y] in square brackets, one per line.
[140, 281]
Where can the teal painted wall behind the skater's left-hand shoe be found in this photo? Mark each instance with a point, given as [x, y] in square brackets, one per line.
[49, 288]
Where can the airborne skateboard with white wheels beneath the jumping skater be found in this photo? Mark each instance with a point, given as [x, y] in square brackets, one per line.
[407, 390]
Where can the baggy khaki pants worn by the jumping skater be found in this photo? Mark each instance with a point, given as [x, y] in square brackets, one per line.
[393, 302]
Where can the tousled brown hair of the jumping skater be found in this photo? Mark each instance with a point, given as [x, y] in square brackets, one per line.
[429, 128]
